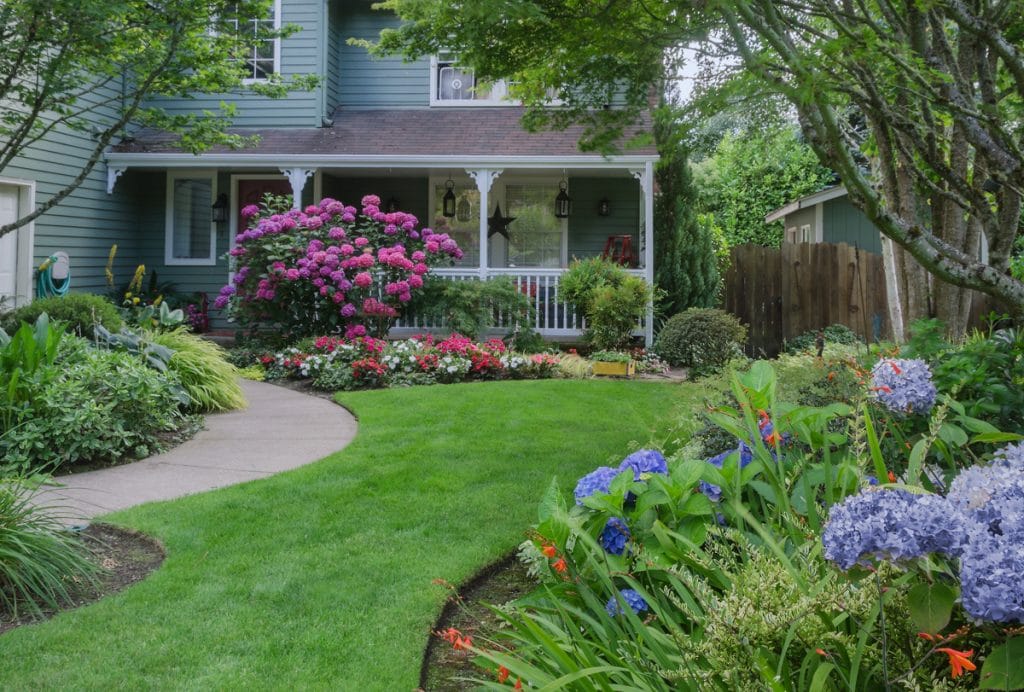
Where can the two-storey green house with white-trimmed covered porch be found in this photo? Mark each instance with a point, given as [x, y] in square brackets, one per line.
[405, 132]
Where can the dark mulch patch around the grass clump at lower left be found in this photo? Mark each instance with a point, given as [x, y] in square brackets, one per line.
[124, 557]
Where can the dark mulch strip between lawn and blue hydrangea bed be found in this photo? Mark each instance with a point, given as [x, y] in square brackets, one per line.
[467, 612]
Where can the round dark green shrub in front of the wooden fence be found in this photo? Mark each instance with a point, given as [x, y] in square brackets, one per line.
[702, 339]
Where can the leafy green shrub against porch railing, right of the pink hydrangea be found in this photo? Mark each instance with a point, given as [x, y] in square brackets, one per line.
[472, 308]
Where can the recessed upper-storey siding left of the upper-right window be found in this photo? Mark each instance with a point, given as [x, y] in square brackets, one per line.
[375, 83]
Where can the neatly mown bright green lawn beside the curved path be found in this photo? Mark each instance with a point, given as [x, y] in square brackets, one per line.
[321, 578]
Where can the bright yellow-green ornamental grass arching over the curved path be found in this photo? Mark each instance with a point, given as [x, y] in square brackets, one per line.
[202, 369]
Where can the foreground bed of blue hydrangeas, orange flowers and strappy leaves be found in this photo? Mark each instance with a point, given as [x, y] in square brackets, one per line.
[884, 553]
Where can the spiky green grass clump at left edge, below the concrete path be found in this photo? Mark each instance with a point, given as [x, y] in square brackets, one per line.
[41, 564]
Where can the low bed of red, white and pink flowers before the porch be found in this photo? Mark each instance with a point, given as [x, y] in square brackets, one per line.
[335, 364]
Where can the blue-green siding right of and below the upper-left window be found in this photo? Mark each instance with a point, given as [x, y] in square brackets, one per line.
[301, 55]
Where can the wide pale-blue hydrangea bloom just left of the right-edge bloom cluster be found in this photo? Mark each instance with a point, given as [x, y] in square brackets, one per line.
[891, 525]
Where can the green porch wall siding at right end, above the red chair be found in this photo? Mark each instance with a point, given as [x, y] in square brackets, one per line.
[588, 231]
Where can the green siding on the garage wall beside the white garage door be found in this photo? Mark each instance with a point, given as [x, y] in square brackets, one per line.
[90, 222]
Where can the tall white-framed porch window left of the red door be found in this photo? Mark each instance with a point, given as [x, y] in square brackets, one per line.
[191, 233]
